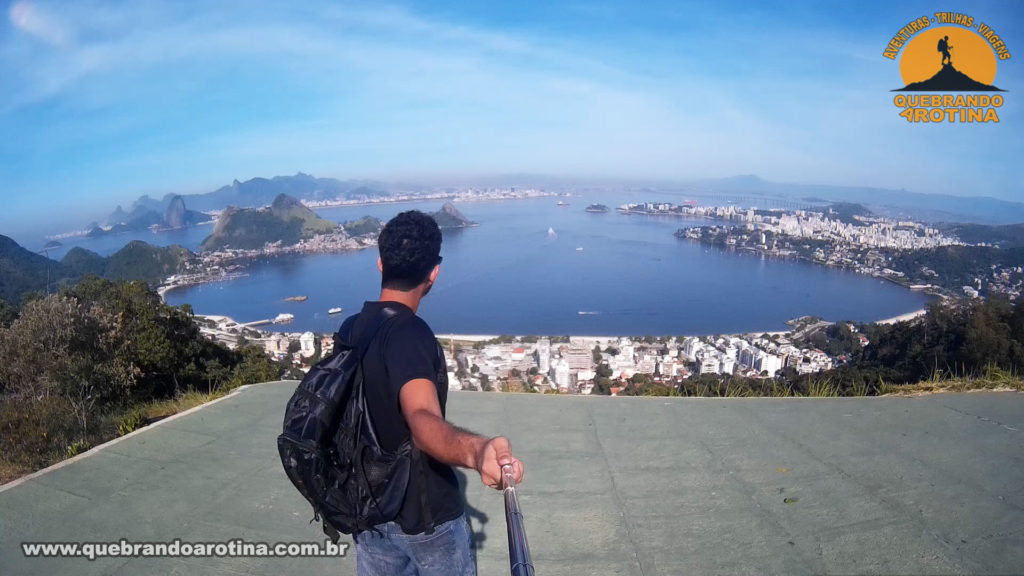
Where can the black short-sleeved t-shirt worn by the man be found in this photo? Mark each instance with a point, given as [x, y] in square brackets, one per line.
[406, 350]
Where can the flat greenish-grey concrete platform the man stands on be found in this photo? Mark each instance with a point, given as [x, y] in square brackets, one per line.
[639, 486]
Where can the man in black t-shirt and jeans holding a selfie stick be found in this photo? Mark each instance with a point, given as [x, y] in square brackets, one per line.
[406, 388]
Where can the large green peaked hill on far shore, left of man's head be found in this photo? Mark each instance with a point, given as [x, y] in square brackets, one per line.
[286, 221]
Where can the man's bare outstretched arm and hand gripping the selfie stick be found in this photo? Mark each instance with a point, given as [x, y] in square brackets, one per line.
[446, 443]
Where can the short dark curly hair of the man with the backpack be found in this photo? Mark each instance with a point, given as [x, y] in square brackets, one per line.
[410, 248]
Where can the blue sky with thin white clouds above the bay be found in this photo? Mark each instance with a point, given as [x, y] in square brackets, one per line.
[103, 102]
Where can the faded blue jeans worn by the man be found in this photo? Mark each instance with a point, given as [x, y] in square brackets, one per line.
[393, 553]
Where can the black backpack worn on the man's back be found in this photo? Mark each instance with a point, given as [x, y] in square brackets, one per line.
[330, 450]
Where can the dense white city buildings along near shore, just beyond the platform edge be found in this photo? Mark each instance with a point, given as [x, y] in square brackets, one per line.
[570, 365]
